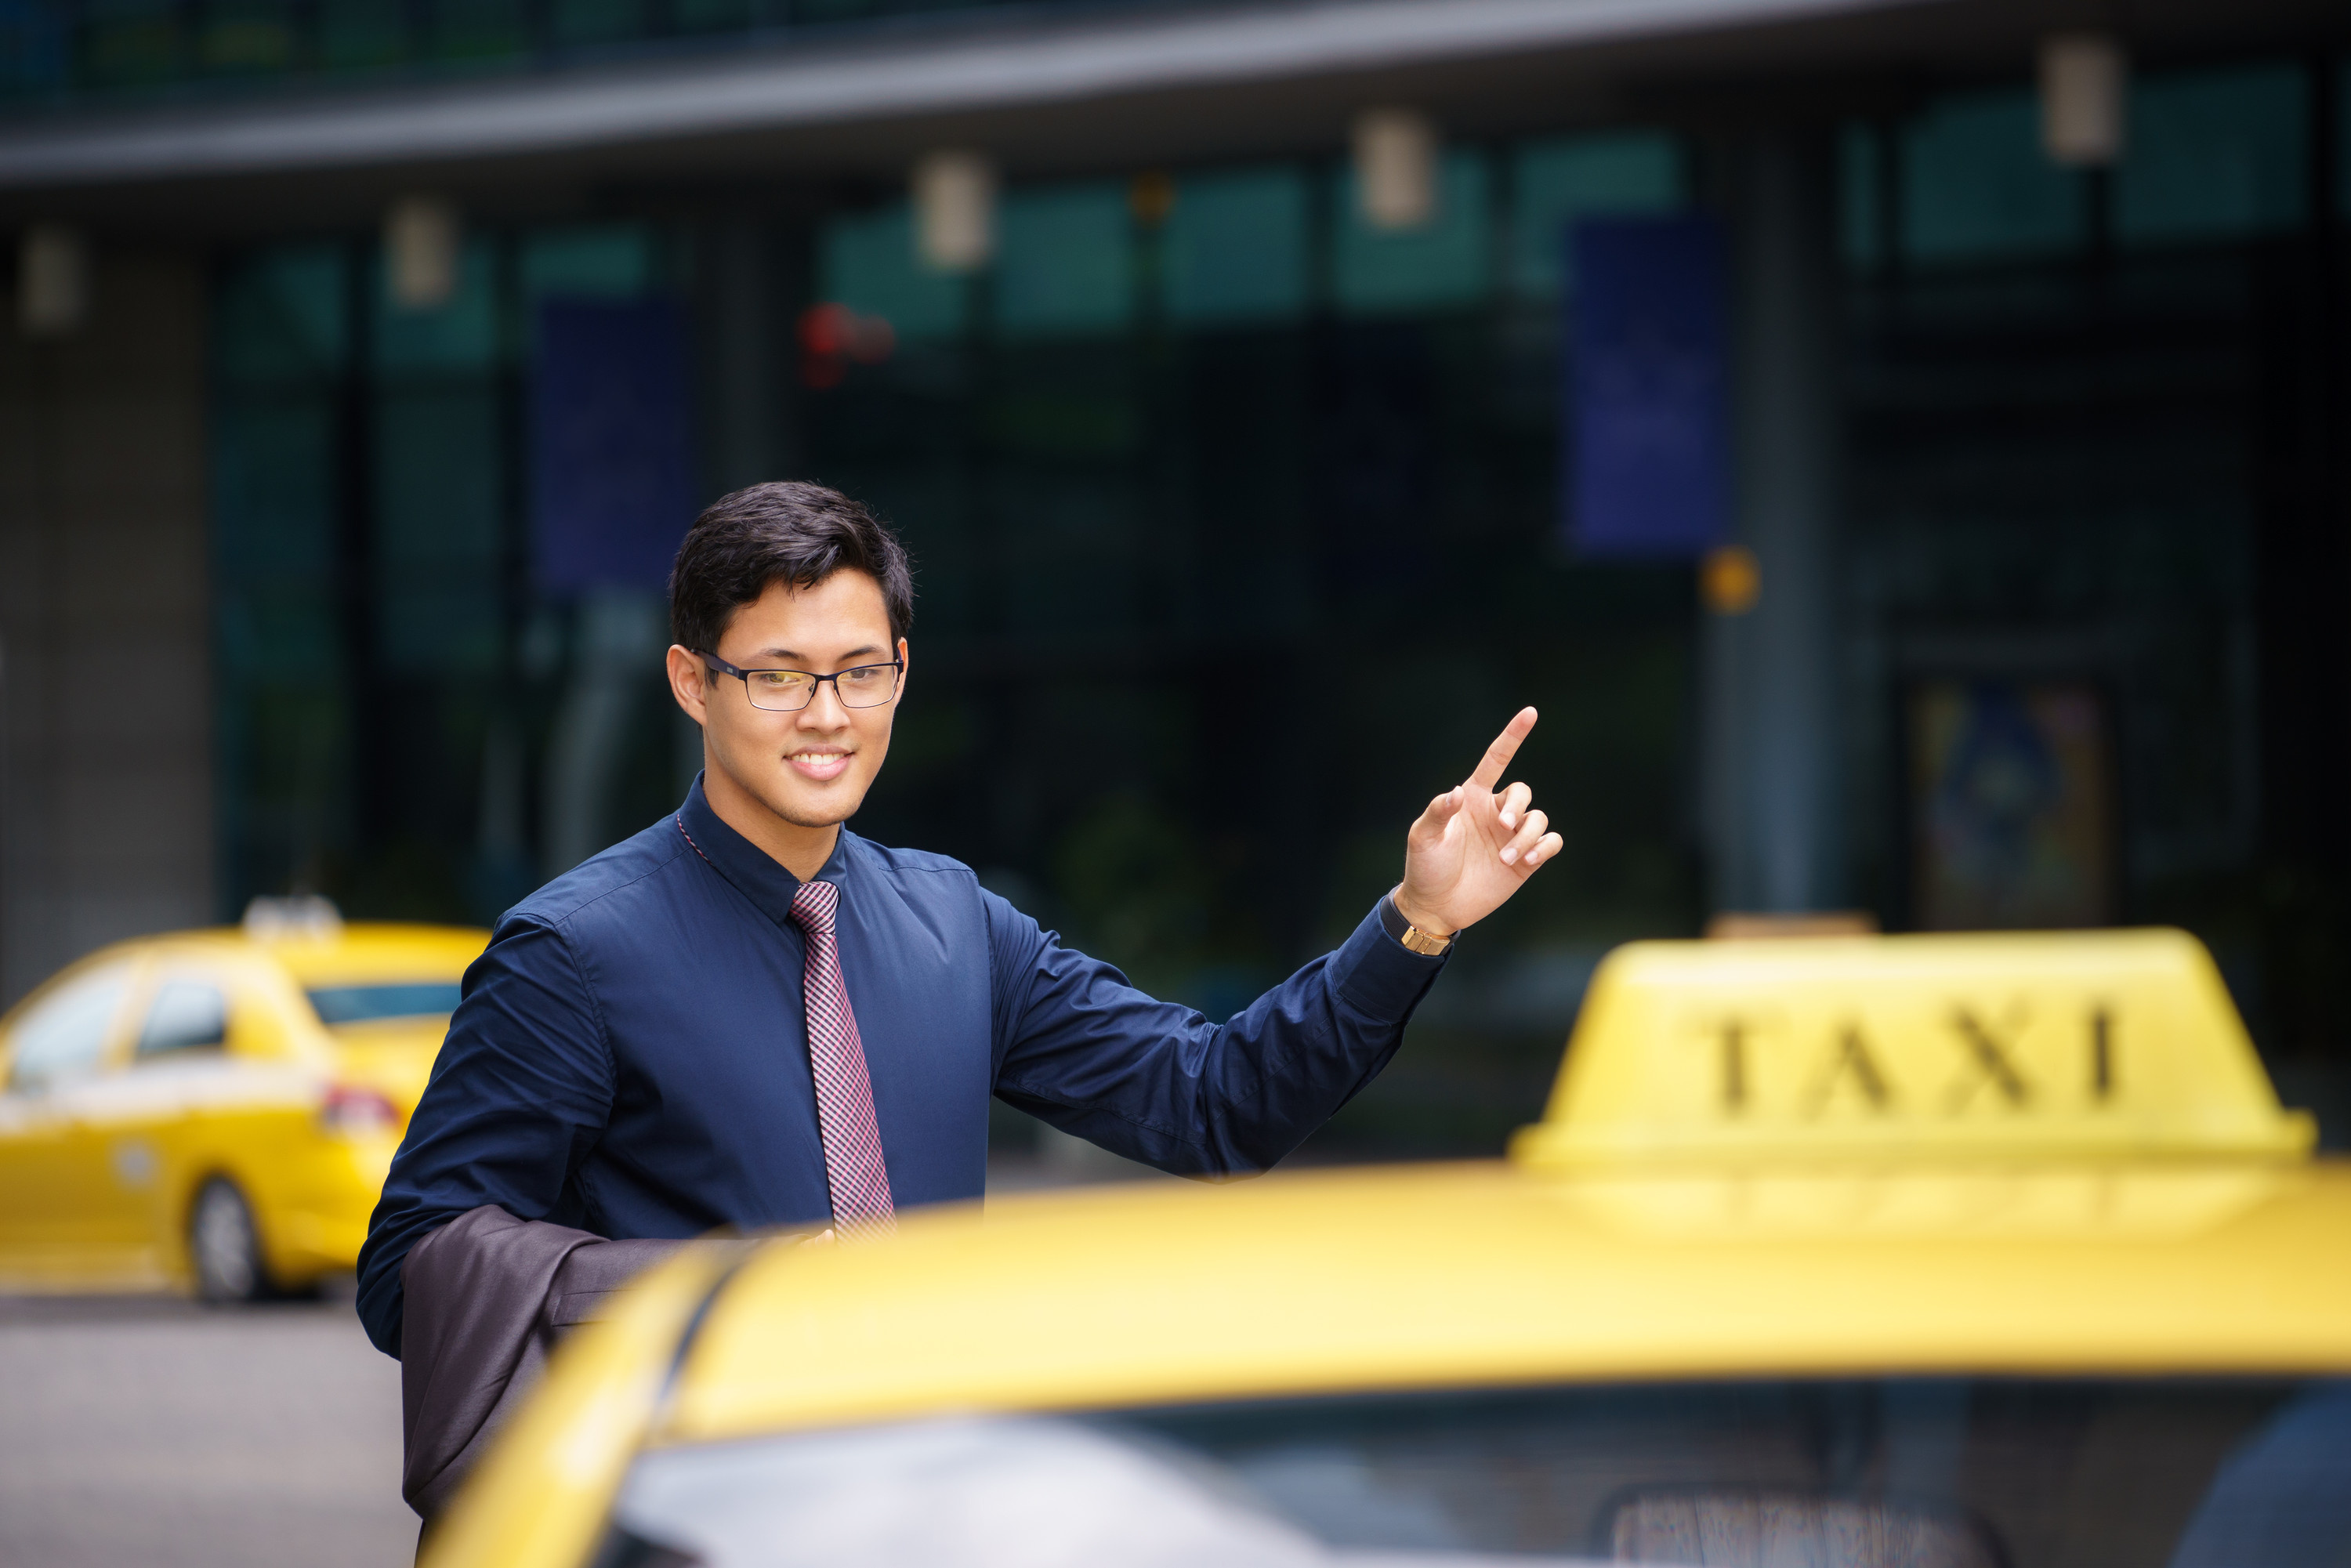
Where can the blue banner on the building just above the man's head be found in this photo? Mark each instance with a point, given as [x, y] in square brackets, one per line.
[612, 445]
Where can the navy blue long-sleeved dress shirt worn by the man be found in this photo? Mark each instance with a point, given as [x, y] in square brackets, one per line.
[631, 1050]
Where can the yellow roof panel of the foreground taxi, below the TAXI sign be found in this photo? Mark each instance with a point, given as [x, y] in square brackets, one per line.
[1431, 1278]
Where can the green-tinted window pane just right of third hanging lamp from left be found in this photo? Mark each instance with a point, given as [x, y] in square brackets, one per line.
[1066, 262]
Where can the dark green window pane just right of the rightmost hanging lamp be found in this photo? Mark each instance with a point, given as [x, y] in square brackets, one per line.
[2216, 156]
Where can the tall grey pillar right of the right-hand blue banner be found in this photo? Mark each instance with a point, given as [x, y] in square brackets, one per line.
[1774, 739]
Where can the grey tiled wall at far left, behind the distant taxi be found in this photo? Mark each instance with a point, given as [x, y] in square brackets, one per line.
[107, 822]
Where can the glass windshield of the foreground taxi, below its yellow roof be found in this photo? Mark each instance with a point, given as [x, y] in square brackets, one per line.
[1835, 1475]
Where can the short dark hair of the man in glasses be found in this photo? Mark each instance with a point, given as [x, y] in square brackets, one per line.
[779, 532]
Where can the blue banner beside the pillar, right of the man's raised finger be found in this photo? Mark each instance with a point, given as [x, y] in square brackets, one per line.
[1649, 429]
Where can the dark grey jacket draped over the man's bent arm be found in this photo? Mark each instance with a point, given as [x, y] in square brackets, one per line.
[488, 1296]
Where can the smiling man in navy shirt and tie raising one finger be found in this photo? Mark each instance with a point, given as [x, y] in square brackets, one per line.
[751, 1017]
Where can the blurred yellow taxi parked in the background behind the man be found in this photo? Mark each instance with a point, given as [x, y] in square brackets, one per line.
[217, 1108]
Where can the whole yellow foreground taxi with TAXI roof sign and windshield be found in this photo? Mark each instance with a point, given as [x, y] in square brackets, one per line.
[1920, 1252]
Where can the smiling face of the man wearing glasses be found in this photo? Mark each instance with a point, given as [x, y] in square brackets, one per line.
[786, 782]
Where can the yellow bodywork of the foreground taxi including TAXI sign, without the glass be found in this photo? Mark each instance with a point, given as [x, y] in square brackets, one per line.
[1654, 1231]
